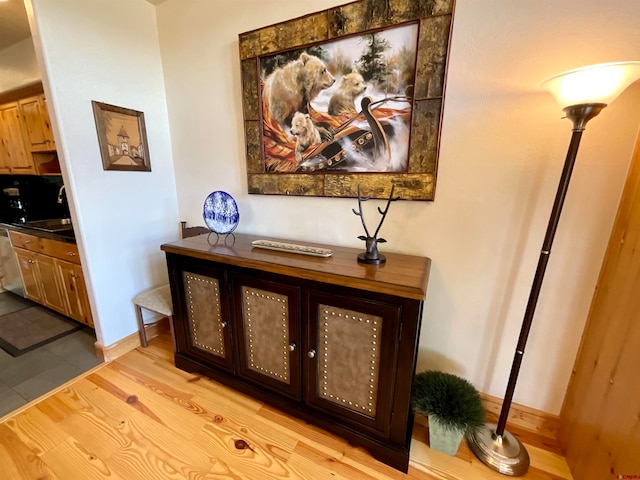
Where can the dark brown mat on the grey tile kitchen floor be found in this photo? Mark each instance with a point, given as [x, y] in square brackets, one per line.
[31, 328]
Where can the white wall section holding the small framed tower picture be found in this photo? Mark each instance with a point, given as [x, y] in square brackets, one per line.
[108, 51]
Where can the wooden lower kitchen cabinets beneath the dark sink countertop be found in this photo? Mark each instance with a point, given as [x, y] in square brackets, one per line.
[52, 275]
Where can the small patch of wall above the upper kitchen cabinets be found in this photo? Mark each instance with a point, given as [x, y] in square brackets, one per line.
[18, 65]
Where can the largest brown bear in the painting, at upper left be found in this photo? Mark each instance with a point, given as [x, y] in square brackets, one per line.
[290, 88]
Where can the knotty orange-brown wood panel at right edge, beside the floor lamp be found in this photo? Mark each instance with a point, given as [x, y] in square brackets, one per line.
[600, 419]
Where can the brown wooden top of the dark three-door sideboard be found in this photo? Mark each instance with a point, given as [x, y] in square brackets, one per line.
[402, 275]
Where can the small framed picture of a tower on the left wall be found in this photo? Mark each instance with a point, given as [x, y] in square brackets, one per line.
[122, 137]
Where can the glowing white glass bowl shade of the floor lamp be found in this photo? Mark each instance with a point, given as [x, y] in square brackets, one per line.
[600, 83]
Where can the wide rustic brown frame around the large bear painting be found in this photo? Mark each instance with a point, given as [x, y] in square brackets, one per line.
[434, 18]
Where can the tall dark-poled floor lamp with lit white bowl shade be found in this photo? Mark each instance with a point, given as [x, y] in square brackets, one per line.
[582, 93]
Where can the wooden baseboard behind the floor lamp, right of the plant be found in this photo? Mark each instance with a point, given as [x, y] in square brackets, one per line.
[543, 423]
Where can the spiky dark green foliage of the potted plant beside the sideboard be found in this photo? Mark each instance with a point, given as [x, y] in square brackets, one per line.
[454, 400]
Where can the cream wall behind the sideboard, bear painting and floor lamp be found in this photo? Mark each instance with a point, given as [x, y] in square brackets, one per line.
[503, 145]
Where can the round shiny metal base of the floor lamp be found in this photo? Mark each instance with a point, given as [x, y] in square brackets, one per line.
[504, 454]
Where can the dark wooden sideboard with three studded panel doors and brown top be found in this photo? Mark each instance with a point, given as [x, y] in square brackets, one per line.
[328, 340]
